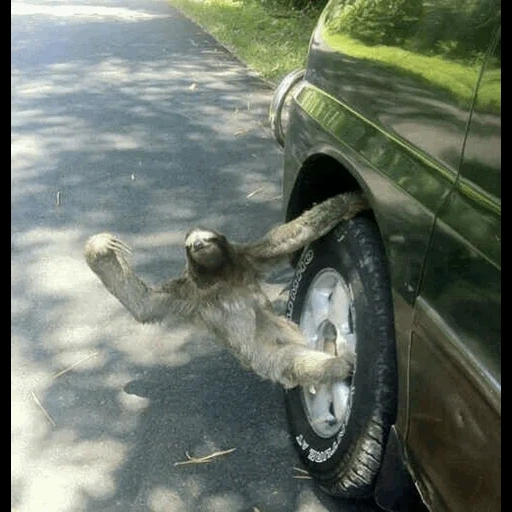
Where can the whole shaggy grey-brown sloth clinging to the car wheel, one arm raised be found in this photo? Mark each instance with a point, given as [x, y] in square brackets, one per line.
[220, 290]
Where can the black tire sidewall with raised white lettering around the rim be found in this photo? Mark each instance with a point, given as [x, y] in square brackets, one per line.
[341, 251]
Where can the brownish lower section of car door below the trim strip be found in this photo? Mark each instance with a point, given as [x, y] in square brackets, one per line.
[453, 446]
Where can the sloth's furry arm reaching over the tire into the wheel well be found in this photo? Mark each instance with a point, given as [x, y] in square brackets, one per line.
[288, 238]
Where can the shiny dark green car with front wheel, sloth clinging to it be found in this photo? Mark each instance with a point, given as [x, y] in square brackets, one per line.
[401, 99]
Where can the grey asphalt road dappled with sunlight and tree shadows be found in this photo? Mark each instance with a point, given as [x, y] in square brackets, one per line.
[128, 118]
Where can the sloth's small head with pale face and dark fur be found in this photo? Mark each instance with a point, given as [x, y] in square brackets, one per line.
[207, 250]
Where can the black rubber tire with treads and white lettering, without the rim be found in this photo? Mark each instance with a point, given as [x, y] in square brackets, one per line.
[347, 463]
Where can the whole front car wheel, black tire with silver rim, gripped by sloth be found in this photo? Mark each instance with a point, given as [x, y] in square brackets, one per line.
[341, 293]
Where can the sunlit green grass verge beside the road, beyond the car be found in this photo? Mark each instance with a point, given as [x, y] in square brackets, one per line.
[270, 40]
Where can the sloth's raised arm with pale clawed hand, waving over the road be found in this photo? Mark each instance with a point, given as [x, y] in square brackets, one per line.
[106, 256]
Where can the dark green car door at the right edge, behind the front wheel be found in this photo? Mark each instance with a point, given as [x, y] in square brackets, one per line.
[454, 429]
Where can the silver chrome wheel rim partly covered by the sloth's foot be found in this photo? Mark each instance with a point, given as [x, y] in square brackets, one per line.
[328, 321]
